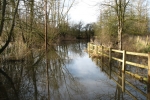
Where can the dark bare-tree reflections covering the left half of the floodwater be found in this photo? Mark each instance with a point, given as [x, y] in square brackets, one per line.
[29, 76]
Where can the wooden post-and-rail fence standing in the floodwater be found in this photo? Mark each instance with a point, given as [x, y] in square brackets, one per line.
[98, 50]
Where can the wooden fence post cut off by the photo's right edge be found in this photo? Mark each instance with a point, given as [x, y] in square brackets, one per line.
[148, 87]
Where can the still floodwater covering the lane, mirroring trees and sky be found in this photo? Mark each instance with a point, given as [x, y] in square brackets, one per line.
[66, 73]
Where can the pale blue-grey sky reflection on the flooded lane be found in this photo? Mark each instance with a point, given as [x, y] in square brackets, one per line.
[91, 77]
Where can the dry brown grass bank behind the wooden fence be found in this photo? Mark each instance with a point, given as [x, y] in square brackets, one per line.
[130, 43]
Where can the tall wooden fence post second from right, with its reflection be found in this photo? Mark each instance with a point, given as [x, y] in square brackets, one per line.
[123, 70]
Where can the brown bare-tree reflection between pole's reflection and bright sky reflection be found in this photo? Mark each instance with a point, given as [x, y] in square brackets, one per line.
[60, 78]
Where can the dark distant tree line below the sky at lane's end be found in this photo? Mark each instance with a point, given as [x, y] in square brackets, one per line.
[77, 30]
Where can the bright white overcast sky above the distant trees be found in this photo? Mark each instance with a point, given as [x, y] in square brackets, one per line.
[85, 11]
